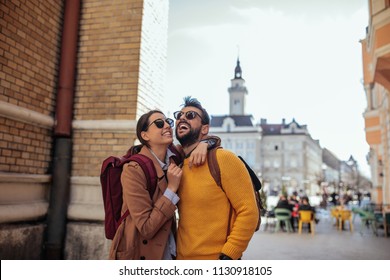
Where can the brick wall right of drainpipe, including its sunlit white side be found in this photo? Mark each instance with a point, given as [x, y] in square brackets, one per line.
[121, 70]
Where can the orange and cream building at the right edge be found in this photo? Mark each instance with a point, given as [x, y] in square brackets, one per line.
[376, 70]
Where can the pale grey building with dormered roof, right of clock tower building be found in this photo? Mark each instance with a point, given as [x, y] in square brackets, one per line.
[290, 158]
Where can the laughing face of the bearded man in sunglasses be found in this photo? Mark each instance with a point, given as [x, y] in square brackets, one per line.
[188, 125]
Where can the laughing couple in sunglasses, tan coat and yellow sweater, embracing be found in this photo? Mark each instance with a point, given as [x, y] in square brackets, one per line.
[207, 228]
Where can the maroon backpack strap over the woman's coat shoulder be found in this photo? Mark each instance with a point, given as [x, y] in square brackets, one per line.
[150, 175]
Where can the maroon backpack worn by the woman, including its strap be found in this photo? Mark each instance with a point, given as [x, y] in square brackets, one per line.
[110, 179]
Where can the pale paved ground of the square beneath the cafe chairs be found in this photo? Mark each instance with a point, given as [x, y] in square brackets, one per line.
[328, 243]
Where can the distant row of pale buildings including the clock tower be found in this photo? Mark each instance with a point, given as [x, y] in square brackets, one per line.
[283, 155]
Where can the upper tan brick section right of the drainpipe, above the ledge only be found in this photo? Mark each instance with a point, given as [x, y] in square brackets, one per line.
[108, 59]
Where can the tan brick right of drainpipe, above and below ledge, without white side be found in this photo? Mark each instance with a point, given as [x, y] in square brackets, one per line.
[107, 81]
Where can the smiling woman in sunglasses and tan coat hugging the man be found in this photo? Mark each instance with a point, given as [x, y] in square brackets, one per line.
[148, 233]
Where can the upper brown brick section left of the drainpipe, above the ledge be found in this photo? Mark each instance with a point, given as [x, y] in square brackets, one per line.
[29, 46]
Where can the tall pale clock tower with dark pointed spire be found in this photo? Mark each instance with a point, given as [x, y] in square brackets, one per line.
[237, 92]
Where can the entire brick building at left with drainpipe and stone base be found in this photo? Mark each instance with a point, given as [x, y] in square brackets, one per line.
[75, 76]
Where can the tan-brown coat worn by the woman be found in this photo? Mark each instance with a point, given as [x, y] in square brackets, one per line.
[144, 233]
